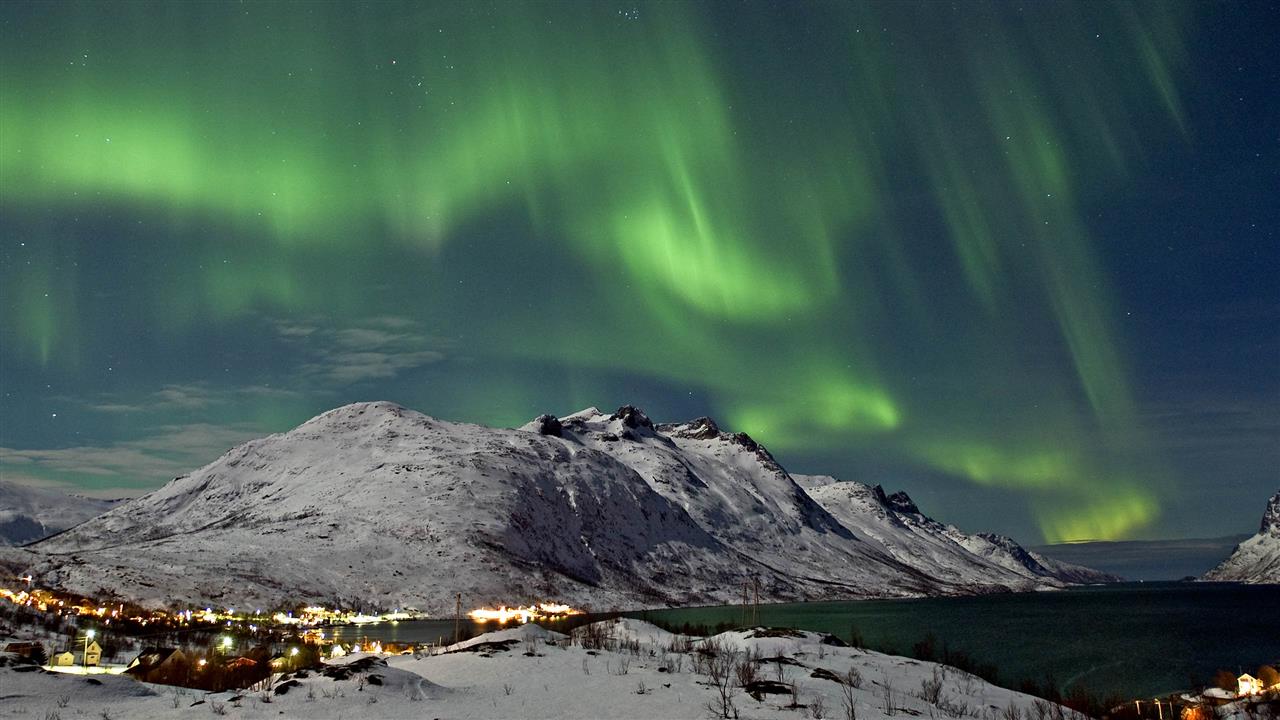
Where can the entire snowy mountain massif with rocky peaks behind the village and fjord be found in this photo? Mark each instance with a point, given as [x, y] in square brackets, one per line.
[372, 505]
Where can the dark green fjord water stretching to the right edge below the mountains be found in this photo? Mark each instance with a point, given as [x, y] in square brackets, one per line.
[1133, 640]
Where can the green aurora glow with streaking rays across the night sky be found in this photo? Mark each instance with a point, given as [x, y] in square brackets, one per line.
[698, 203]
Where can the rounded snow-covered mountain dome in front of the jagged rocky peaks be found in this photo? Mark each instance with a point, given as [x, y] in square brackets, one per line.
[377, 505]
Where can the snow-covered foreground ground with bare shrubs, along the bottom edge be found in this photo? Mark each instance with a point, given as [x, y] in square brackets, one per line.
[610, 671]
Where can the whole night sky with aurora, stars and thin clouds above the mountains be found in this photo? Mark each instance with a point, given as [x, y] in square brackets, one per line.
[1018, 259]
